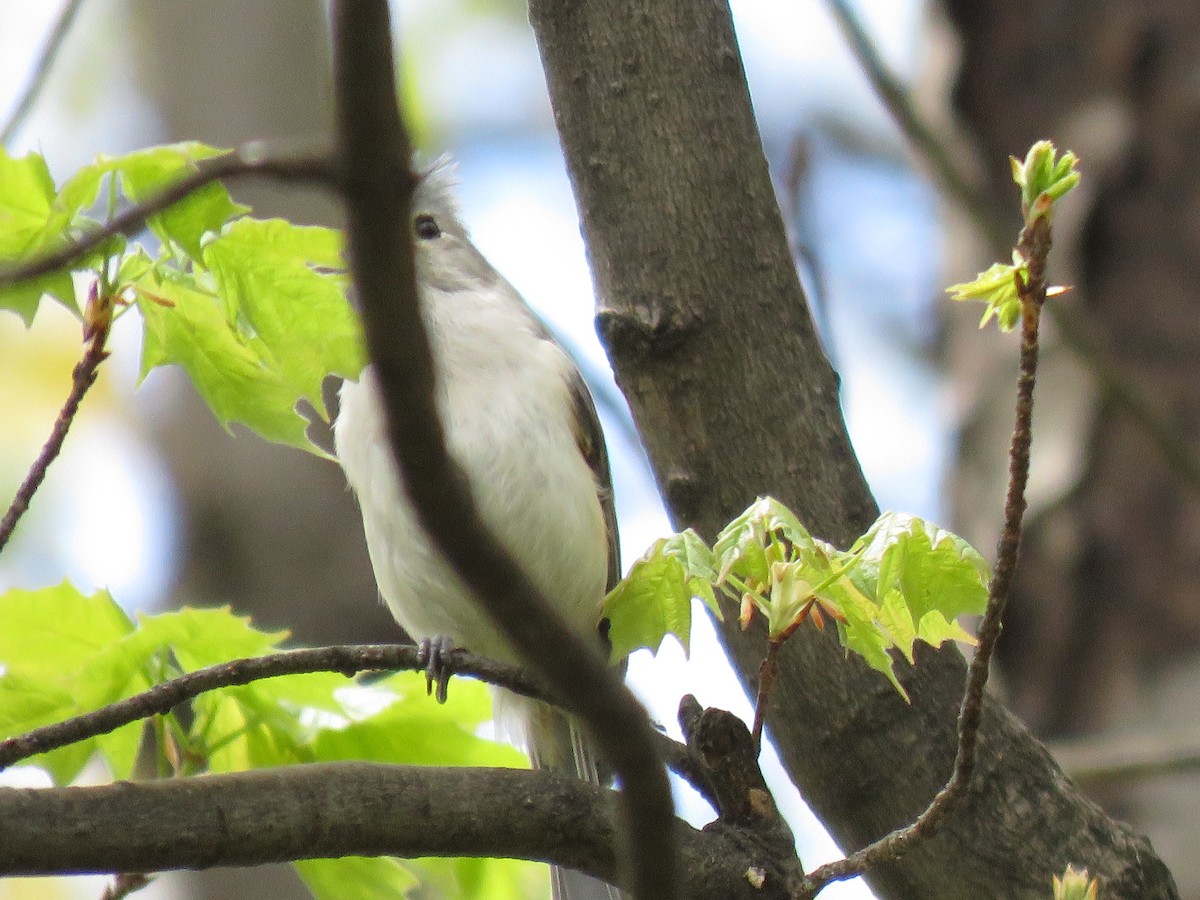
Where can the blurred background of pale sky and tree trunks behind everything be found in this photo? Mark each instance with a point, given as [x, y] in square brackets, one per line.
[153, 500]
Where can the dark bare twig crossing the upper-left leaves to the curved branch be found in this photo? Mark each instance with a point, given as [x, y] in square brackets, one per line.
[249, 160]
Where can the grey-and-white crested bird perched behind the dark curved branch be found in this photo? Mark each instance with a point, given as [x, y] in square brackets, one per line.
[523, 425]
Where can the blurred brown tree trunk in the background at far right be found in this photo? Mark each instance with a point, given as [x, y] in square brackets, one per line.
[1103, 626]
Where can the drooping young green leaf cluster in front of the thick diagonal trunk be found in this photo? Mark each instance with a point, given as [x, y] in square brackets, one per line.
[904, 581]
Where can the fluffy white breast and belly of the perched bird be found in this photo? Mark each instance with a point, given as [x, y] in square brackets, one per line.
[509, 421]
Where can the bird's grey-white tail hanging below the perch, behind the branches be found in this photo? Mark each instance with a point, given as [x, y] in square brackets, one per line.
[556, 742]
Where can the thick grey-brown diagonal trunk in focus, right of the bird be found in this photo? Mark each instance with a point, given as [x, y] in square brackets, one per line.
[712, 341]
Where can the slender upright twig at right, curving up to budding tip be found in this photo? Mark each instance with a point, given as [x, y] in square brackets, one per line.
[1035, 248]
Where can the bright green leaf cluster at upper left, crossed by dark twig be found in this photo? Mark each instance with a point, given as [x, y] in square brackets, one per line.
[255, 311]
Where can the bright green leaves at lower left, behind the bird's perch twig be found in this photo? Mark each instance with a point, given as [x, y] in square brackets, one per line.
[64, 653]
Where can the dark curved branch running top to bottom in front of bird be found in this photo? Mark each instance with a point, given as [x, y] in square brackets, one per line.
[377, 190]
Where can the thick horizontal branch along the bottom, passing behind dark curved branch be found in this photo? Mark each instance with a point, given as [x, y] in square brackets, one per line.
[341, 809]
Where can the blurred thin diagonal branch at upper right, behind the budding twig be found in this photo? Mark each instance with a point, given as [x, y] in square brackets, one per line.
[1113, 382]
